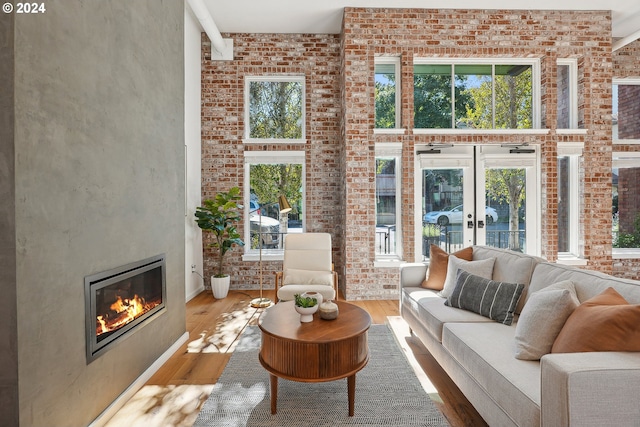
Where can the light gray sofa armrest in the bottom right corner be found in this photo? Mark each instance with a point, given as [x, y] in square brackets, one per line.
[590, 389]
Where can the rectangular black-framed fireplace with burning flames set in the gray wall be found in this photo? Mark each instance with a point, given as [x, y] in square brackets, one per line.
[121, 300]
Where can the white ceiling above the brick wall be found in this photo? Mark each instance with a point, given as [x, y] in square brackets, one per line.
[325, 16]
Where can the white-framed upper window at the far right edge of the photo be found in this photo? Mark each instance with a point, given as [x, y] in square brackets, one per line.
[626, 110]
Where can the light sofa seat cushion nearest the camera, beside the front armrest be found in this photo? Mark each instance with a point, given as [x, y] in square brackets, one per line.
[485, 351]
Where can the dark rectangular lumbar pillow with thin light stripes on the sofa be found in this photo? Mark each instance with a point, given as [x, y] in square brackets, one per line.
[495, 300]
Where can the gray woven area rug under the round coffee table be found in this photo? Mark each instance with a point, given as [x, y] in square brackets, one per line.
[387, 392]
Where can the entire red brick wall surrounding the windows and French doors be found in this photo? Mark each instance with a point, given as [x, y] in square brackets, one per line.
[340, 150]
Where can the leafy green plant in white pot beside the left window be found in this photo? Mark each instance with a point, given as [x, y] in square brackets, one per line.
[219, 217]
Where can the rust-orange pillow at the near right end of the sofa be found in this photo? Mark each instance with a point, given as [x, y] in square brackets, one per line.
[606, 322]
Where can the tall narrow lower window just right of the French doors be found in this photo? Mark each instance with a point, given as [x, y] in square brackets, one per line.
[568, 215]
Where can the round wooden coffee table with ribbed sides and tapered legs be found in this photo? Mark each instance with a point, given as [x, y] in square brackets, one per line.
[321, 350]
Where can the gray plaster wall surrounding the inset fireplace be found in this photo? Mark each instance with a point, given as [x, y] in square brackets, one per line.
[99, 183]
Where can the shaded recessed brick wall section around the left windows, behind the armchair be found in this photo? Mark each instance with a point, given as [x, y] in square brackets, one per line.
[317, 57]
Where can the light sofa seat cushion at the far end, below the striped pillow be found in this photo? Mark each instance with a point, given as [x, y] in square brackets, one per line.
[429, 309]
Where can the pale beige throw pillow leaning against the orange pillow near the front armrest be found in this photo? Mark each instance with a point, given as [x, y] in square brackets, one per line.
[542, 318]
